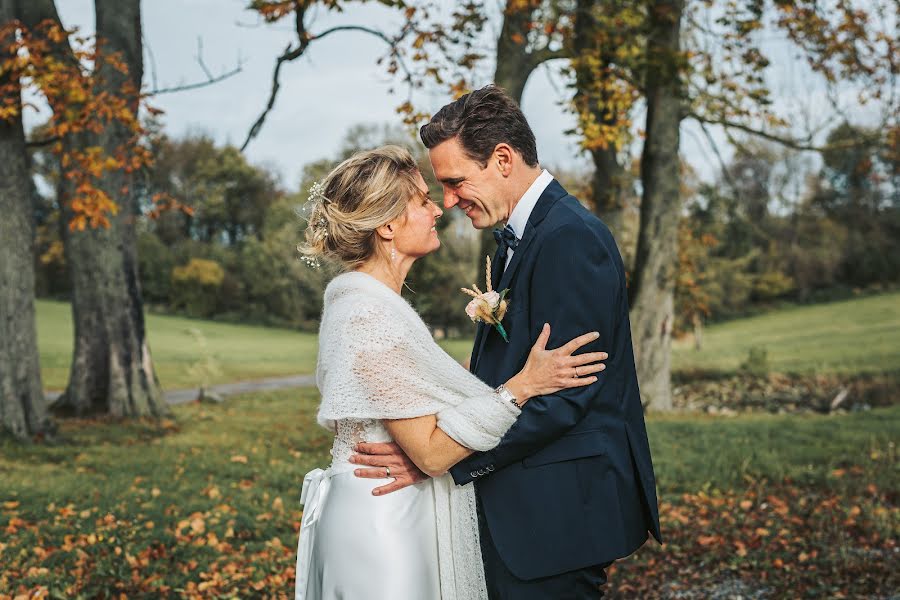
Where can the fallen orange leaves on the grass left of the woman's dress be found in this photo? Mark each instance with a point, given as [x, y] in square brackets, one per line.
[74, 551]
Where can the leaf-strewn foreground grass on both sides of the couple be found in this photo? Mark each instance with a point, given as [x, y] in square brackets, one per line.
[208, 504]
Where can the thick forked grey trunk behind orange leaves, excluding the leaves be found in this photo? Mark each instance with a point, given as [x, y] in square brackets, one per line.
[112, 372]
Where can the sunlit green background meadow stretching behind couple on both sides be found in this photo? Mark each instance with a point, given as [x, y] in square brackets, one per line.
[854, 336]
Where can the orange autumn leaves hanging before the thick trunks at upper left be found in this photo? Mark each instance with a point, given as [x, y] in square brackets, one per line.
[64, 70]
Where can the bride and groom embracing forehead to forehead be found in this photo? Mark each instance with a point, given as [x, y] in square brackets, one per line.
[522, 479]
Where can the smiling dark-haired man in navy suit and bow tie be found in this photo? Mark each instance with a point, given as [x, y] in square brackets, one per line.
[570, 488]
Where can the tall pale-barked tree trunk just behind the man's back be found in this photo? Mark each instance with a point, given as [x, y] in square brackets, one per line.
[652, 289]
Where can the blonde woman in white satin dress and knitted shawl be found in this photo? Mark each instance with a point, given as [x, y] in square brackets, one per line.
[382, 377]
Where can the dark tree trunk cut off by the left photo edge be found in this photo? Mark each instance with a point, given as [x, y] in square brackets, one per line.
[23, 410]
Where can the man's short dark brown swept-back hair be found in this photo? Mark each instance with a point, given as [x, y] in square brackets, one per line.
[481, 120]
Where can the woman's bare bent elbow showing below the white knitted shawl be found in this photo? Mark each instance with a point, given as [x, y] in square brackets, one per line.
[426, 444]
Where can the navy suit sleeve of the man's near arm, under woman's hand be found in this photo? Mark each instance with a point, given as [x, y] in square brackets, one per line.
[575, 288]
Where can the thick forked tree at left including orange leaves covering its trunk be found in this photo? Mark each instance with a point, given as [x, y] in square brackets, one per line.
[96, 123]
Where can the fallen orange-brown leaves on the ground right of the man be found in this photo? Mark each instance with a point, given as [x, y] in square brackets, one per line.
[770, 541]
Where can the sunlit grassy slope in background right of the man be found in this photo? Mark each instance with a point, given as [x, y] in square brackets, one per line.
[854, 336]
